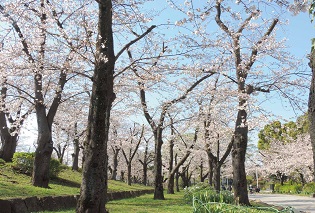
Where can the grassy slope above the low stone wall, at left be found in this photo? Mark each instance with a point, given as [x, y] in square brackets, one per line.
[14, 185]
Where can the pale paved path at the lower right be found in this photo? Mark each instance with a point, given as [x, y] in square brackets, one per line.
[299, 203]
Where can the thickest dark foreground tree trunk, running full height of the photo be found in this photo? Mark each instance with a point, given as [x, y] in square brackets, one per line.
[94, 182]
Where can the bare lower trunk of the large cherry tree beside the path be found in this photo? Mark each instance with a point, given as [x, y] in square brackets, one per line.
[238, 158]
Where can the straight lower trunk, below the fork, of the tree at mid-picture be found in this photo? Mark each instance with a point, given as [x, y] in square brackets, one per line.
[158, 178]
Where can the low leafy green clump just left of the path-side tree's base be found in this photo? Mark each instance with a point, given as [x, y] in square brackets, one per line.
[205, 193]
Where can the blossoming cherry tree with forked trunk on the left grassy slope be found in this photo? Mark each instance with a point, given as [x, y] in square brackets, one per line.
[35, 30]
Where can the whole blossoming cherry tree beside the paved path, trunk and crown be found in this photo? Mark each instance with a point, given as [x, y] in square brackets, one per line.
[243, 37]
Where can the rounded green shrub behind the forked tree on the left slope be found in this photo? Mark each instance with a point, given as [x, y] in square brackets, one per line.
[23, 162]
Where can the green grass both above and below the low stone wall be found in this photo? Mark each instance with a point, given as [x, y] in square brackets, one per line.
[15, 185]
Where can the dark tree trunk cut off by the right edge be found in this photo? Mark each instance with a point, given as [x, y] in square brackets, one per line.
[311, 108]
